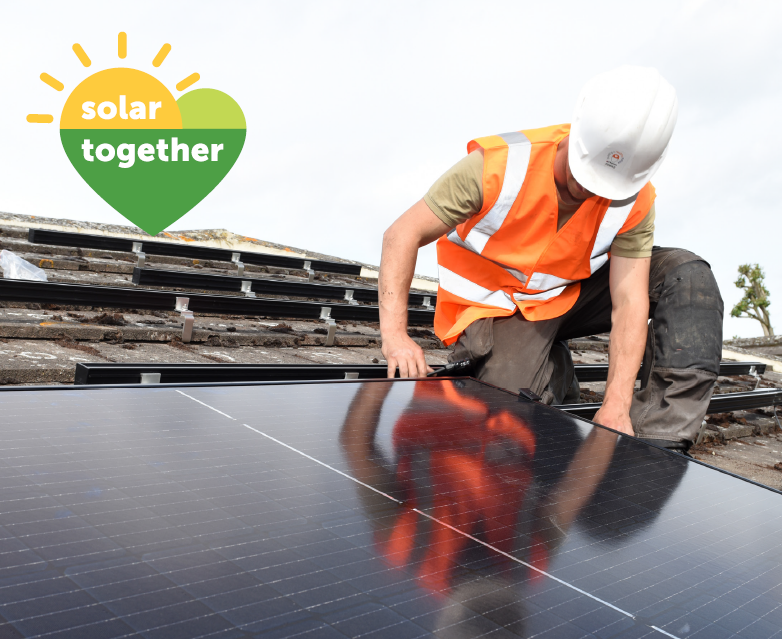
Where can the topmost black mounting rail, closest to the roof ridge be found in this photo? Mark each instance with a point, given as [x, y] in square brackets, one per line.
[152, 247]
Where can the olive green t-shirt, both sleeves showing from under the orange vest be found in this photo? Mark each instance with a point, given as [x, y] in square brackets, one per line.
[458, 195]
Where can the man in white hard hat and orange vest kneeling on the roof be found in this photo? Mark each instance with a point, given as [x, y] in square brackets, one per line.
[546, 235]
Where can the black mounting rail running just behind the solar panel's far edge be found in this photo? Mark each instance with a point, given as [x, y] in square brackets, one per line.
[114, 373]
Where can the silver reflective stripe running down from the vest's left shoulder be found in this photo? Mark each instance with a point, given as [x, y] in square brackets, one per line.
[519, 149]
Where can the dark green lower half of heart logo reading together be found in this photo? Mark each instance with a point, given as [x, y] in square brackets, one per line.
[143, 173]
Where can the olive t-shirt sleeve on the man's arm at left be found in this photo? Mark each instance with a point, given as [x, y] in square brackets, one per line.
[458, 193]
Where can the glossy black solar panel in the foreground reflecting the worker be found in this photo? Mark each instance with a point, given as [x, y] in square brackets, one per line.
[403, 509]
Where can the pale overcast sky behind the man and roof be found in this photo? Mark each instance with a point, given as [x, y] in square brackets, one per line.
[354, 108]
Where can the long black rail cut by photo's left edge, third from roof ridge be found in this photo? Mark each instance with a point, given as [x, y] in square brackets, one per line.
[135, 298]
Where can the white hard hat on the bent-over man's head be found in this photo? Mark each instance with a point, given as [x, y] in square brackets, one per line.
[620, 131]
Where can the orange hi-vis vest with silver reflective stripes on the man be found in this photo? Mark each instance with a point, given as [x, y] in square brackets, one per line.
[510, 255]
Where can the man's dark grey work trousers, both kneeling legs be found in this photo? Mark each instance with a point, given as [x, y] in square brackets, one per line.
[681, 361]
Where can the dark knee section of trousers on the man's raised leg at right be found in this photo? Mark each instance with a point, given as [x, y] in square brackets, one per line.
[687, 319]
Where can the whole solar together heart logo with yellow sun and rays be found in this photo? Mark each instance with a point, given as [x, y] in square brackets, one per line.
[149, 156]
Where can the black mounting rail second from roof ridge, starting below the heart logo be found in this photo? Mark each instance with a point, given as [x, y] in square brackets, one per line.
[263, 286]
